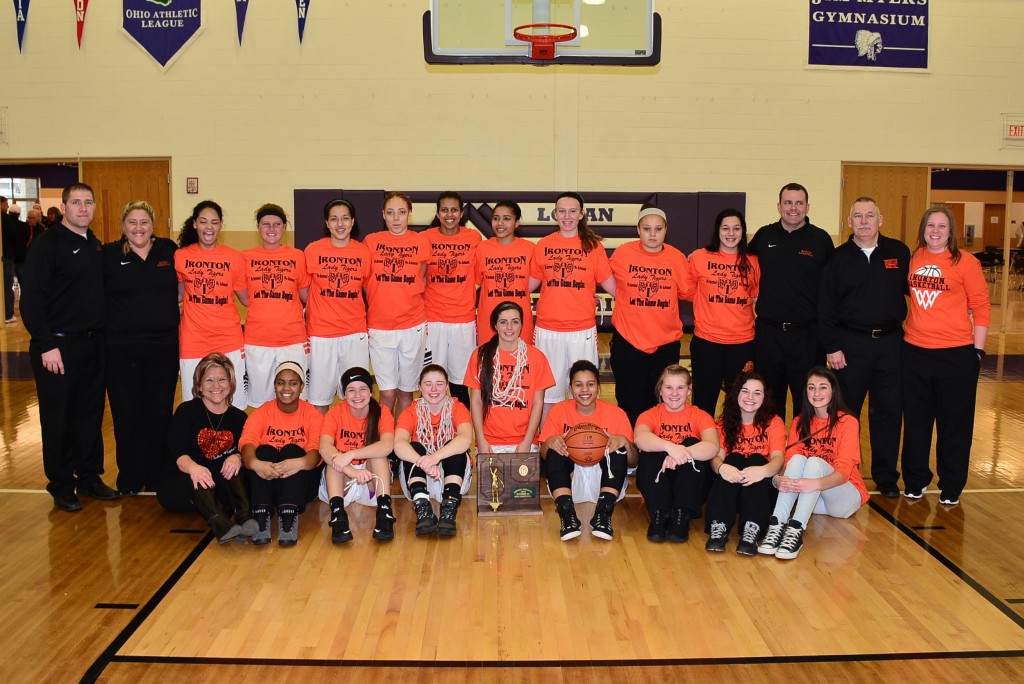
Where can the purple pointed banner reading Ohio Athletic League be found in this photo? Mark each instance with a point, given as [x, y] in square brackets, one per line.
[162, 28]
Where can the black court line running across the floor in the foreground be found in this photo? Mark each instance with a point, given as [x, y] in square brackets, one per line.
[658, 663]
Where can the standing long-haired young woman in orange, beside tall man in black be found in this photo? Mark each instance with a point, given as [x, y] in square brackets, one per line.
[723, 291]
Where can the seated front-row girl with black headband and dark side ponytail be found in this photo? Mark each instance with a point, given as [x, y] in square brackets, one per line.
[357, 439]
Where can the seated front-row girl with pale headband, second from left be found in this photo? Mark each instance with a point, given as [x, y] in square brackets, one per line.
[280, 450]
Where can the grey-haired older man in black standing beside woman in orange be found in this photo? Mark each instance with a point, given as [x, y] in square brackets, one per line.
[861, 316]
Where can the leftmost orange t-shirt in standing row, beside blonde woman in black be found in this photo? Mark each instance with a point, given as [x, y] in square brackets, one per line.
[210, 320]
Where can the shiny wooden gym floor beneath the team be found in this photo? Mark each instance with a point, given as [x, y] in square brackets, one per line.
[125, 592]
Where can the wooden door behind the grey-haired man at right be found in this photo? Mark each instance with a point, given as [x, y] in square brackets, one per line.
[902, 192]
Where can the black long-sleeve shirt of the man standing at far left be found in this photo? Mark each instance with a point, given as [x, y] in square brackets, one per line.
[63, 289]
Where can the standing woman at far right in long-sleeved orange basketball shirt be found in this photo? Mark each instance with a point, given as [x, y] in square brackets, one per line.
[944, 346]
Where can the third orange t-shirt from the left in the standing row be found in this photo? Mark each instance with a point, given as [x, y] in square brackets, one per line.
[337, 276]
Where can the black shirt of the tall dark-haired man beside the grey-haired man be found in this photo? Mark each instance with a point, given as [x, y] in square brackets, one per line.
[791, 271]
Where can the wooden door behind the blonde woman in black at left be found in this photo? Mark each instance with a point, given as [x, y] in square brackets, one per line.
[119, 182]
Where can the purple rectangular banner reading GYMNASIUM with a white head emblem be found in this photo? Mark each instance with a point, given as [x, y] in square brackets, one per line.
[848, 33]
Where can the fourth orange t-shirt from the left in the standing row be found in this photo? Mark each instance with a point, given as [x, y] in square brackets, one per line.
[395, 292]
